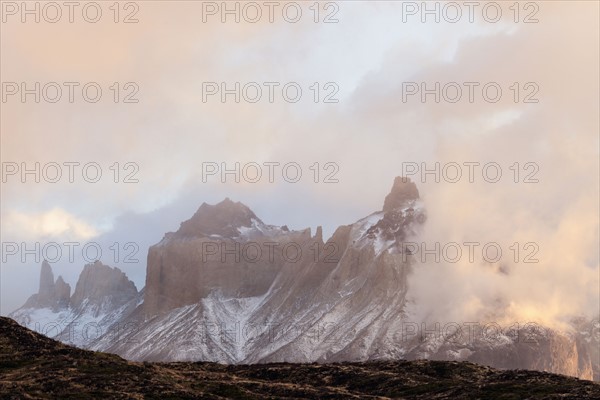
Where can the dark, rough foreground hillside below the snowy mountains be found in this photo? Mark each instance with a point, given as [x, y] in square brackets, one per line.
[34, 366]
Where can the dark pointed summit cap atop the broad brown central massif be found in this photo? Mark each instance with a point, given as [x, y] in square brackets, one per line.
[223, 219]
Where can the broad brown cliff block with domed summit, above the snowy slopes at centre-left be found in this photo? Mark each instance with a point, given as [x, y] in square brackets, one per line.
[222, 249]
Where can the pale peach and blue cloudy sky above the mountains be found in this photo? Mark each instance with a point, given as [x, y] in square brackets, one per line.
[368, 57]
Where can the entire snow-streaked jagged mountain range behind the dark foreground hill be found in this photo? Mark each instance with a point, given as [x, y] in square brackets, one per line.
[227, 287]
